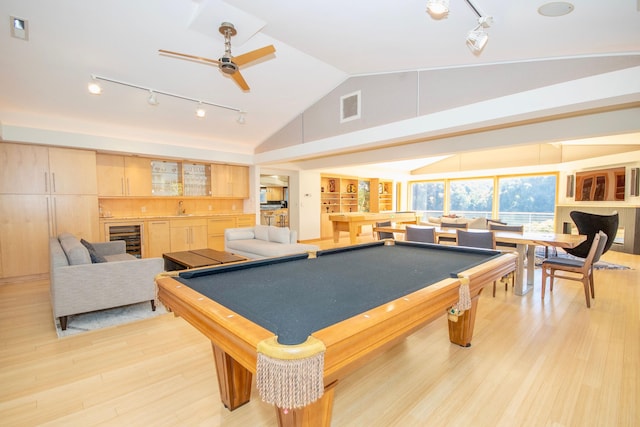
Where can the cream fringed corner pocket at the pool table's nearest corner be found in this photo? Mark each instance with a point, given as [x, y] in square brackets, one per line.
[293, 380]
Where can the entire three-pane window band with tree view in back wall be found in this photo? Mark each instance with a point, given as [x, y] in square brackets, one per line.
[516, 200]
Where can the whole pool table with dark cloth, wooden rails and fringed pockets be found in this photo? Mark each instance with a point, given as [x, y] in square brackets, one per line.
[301, 323]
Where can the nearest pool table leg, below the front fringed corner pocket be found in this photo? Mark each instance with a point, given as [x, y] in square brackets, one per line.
[318, 414]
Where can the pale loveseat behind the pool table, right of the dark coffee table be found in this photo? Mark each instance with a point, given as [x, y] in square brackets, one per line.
[263, 241]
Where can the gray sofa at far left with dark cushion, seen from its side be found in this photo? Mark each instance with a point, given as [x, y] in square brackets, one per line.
[82, 280]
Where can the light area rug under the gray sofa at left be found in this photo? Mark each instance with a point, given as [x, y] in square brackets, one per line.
[94, 320]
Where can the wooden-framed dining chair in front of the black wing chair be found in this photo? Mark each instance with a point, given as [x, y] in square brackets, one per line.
[580, 270]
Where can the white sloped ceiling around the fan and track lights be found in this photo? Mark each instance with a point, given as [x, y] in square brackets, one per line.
[319, 44]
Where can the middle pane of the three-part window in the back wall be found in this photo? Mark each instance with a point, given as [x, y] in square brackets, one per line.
[471, 198]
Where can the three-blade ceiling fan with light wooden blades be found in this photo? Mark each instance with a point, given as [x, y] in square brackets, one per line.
[228, 63]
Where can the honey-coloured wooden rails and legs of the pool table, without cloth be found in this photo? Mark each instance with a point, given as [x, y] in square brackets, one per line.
[349, 344]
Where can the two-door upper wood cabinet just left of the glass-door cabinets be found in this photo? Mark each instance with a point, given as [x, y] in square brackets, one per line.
[123, 175]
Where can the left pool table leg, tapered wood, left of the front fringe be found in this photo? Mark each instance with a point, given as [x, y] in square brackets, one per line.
[233, 378]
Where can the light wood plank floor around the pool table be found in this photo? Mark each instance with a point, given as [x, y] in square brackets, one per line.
[532, 363]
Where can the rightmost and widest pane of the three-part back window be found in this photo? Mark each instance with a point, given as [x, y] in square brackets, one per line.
[528, 201]
